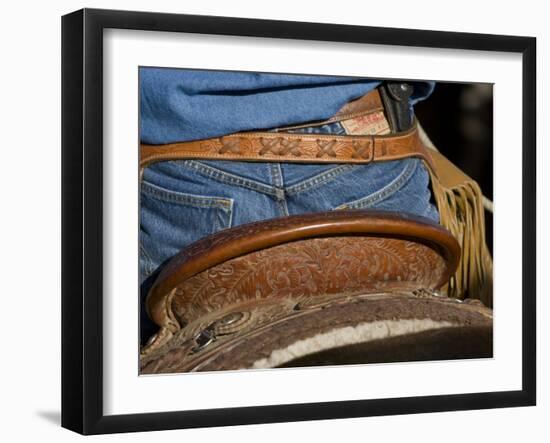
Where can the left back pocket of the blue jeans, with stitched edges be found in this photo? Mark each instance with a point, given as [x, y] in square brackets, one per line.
[171, 220]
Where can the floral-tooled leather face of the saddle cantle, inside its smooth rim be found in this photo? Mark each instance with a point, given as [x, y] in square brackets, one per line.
[308, 270]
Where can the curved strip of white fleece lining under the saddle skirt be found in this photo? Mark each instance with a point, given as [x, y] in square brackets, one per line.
[349, 335]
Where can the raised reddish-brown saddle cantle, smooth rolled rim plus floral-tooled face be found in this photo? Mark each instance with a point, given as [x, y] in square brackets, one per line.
[298, 260]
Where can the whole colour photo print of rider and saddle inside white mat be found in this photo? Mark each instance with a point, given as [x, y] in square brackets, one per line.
[299, 220]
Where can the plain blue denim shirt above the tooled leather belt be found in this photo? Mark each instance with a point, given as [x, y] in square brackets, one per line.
[184, 104]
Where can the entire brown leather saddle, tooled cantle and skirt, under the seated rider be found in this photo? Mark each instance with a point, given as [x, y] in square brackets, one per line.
[325, 288]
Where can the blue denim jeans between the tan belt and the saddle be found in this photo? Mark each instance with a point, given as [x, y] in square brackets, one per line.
[183, 201]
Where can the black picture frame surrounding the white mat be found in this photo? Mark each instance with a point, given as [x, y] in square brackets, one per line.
[82, 220]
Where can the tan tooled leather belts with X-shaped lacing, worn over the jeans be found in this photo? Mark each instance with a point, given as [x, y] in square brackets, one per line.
[299, 148]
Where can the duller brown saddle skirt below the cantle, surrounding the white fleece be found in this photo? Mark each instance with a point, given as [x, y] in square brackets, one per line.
[269, 326]
